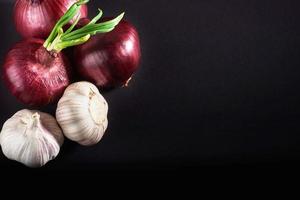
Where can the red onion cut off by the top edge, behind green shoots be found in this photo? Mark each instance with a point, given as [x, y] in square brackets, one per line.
[36, 18]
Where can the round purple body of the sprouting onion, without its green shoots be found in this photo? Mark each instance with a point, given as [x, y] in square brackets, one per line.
[34, 75]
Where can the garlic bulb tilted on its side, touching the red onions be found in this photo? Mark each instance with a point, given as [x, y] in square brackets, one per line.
[82, 113]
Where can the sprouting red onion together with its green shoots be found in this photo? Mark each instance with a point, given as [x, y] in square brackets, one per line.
[36, 71]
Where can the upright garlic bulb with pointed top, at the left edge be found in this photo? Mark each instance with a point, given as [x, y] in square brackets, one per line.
[31, 137]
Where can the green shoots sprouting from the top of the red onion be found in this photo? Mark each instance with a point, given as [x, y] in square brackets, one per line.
[59, 40]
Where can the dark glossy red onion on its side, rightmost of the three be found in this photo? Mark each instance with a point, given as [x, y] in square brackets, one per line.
[109, 60]
